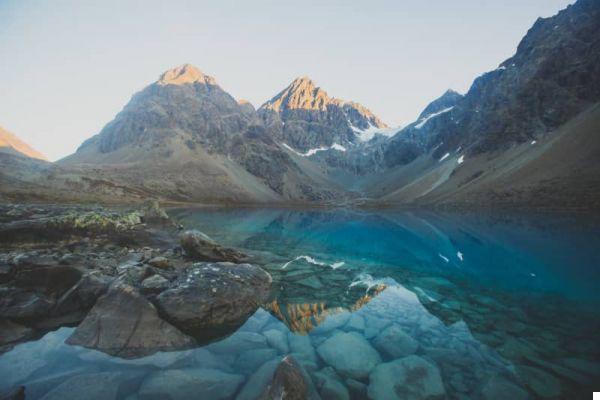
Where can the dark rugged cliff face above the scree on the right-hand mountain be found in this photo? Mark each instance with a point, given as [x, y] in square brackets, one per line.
[554, 75]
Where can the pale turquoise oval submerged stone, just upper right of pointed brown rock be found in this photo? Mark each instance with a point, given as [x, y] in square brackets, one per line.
[350, 354]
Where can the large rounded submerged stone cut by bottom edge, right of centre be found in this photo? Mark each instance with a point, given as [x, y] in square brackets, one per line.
[407, 378]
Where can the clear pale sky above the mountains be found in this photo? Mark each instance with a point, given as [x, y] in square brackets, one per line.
[67, 67]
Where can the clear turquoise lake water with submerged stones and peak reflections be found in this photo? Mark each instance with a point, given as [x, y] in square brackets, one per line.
[378, 305]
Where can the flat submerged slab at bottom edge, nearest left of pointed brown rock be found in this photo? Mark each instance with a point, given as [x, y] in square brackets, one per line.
[189, 383]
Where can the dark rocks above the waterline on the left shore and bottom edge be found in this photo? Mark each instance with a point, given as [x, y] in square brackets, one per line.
[132, 281]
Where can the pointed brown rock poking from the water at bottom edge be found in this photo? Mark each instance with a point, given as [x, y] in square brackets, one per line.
[288, 382]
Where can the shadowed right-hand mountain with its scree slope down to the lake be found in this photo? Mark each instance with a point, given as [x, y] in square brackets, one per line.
[501, 142]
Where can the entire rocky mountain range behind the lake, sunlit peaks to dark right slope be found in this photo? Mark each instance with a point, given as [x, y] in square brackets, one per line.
[184, 138]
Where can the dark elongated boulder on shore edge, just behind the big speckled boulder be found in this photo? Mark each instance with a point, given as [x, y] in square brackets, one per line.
[200, 247]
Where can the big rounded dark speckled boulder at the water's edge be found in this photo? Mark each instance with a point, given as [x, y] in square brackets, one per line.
[212, 299]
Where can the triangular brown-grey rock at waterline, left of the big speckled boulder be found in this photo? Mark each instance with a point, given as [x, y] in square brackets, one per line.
[124, 324]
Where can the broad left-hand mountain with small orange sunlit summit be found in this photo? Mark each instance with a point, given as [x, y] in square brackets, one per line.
[185, 138]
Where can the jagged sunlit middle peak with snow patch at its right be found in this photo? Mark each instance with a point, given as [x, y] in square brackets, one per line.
[307, 120]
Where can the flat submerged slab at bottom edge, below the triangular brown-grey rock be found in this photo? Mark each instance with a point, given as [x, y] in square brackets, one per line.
[96, 386]
